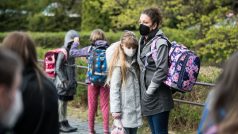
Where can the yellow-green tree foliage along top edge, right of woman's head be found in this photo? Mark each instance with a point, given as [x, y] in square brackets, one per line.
[191, 13]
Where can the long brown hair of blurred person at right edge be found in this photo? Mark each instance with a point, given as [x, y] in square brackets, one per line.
[226, 92]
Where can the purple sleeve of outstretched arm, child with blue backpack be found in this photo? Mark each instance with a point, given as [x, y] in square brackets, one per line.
[74, 52]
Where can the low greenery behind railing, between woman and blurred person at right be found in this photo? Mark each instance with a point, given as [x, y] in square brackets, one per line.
[187, 117]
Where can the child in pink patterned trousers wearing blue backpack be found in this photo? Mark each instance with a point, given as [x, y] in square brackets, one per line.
[96, 76]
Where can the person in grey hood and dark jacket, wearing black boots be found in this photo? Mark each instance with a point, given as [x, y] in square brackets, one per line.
[65, 81]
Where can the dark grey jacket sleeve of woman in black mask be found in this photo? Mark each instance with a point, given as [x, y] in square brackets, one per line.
[161, 68]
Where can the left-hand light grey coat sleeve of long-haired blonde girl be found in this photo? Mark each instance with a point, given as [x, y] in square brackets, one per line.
[115, 91]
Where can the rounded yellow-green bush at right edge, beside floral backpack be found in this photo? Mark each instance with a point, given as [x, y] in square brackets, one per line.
[218, 45]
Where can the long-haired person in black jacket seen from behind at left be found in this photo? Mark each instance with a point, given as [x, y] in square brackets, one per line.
[40, 101]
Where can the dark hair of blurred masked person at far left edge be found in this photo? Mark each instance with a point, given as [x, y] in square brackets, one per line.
[9, 65]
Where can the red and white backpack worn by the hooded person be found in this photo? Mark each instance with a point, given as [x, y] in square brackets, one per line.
[50, 59]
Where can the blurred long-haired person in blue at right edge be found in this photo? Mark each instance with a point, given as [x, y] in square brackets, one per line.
[220, 114]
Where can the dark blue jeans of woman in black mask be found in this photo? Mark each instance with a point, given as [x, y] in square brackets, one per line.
[159, 123]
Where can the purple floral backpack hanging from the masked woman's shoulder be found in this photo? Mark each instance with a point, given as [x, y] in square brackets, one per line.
[184, 65]
